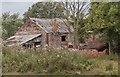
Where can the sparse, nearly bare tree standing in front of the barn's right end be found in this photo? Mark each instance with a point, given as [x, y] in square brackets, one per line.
[75, 14]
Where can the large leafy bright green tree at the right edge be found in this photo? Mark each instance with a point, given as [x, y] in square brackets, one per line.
[104, 19]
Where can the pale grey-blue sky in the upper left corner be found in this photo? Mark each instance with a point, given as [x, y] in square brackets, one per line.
[16, 7]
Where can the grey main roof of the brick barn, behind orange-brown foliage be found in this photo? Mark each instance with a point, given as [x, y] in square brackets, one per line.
[45, 24]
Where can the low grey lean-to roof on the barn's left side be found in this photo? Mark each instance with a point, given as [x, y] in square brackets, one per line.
[22, 38]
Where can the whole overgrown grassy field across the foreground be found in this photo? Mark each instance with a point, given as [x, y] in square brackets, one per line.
[17, 60]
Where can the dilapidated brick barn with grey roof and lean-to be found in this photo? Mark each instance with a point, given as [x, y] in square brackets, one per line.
[42, 32]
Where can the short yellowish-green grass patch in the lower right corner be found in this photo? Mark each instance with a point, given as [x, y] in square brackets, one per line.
[104, 65]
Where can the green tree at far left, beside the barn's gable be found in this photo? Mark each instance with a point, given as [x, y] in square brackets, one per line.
[10, 24]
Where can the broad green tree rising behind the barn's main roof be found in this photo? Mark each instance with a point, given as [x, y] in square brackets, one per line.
[45, 10]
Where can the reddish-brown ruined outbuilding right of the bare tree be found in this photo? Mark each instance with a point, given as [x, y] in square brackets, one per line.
[92, 42]
